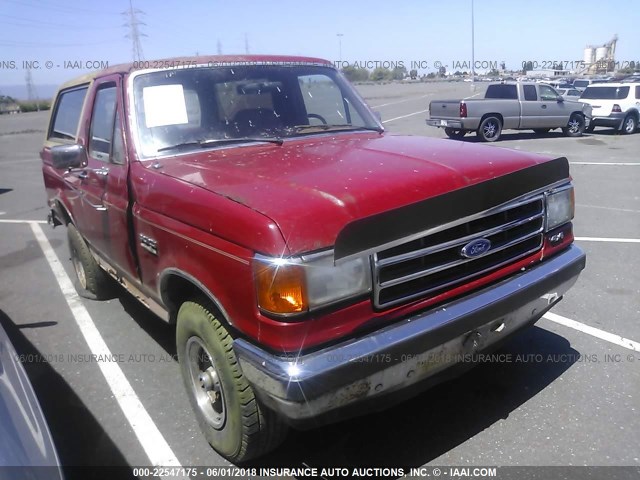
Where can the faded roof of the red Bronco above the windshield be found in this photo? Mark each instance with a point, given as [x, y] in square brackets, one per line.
[186, 62]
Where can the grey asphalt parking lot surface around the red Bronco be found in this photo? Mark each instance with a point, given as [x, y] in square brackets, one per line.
[572, 399]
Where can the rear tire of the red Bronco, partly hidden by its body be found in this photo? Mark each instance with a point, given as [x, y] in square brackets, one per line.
[91, 281]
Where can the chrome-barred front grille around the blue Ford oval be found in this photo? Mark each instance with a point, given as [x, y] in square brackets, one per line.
[434, 262]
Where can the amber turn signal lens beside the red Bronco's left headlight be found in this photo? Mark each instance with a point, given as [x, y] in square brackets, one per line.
[280, 287]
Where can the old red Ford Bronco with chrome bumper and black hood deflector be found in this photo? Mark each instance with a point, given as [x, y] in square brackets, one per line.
[313, 264]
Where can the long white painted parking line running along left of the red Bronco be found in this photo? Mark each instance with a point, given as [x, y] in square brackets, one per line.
[152, 441]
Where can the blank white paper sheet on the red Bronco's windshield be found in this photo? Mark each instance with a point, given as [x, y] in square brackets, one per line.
[164, 105]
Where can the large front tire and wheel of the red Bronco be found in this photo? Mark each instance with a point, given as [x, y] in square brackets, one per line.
[231, 418]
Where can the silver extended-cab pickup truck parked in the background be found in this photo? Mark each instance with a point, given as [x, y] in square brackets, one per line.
[517, 106]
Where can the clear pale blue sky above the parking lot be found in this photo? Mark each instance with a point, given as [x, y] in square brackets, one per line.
[71, 35]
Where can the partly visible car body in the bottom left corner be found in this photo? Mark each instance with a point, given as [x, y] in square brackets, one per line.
[25, 440]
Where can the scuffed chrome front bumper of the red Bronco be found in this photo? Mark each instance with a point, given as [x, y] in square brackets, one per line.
[408, 353]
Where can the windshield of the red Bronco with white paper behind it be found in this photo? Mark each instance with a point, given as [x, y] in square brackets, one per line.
[196, 107]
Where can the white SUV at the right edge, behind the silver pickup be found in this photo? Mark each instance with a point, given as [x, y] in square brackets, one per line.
[615, 105]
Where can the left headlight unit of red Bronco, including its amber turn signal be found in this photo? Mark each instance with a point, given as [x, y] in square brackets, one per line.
[300, 284]
